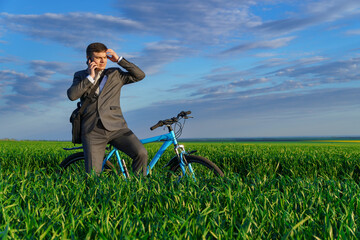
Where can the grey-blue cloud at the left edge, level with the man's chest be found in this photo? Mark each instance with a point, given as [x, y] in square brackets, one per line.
[21, 91]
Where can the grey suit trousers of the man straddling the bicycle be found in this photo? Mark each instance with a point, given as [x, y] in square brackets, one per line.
[94, 144]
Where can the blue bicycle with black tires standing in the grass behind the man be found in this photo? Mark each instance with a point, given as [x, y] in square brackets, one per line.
[182, 164]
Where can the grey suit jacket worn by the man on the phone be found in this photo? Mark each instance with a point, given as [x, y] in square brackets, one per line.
[106, 106]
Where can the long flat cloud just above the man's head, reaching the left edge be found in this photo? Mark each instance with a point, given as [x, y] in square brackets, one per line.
[72, 29]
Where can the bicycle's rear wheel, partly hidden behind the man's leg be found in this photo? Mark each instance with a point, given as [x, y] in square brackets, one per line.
[76, 163]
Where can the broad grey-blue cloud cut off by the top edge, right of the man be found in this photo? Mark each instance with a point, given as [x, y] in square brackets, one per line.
[202, 21]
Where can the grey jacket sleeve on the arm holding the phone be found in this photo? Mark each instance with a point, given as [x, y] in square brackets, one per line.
[79, 86]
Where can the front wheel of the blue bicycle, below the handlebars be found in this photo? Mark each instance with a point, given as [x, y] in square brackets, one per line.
[202, 168]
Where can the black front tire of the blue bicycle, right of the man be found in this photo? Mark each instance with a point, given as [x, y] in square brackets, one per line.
[196, 162]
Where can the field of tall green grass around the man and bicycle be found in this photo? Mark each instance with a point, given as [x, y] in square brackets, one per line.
[299, 190]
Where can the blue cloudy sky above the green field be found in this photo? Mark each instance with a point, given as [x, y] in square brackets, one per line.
[245, 68]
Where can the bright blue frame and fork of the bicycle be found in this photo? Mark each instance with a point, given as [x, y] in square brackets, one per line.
[169, 139]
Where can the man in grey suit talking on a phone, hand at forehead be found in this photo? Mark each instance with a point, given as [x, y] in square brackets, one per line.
[102, 120]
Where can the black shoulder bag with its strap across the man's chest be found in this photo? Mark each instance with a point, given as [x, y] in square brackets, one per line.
[75, 117]
